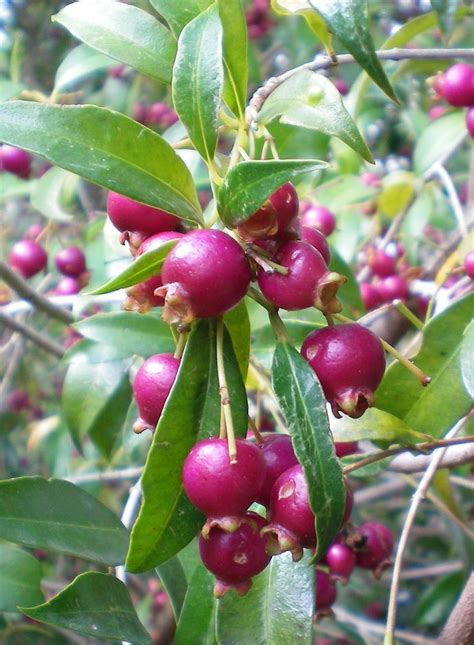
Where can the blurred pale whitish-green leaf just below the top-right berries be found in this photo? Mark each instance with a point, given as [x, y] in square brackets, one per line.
[438, 140]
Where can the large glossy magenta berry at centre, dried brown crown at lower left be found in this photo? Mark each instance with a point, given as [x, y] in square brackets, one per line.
[205, 274]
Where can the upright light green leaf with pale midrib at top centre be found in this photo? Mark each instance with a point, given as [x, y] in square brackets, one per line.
[198, 78]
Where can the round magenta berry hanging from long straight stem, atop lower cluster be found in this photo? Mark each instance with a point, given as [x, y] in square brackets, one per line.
[219, 488]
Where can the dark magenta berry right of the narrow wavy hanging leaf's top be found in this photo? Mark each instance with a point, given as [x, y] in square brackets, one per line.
[349, 362]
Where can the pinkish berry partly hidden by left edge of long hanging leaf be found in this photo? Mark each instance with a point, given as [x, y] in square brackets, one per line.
[151, 388]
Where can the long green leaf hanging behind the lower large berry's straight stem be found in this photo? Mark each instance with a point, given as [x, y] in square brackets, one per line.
[167, 521]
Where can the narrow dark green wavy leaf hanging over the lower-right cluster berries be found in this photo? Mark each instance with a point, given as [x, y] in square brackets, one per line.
[304, 407]
